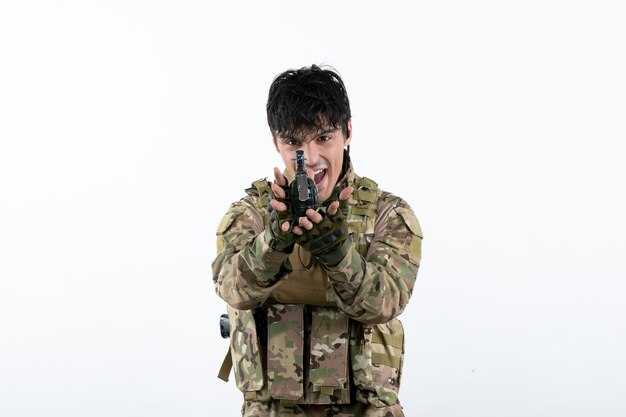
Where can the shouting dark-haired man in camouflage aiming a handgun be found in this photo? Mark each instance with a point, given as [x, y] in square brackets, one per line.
[313, 300]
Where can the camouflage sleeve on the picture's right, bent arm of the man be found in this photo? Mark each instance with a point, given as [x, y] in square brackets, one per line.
[377, 288]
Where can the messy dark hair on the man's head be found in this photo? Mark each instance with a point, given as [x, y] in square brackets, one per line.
[306, 100]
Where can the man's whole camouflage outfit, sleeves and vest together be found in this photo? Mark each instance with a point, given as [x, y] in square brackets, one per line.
[313, 340]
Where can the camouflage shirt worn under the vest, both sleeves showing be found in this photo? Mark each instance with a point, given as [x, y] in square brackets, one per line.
[371, 289]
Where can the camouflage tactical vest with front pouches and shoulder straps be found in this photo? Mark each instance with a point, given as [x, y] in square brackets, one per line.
[275, 354]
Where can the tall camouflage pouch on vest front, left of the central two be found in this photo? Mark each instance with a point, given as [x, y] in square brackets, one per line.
[285, 347]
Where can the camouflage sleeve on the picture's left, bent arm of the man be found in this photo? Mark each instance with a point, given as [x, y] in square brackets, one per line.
[246, 268]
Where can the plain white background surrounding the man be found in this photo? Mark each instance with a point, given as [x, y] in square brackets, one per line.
[127, 127]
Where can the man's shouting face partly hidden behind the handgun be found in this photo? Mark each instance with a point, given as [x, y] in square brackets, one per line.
[323, 151]
